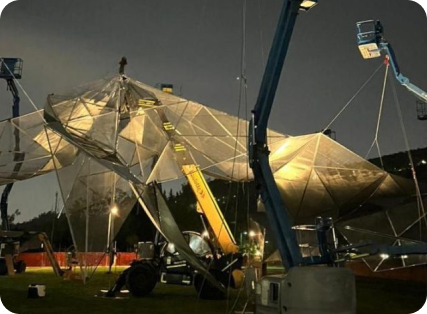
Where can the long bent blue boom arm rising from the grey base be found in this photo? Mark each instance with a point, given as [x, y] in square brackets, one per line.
[257, 142]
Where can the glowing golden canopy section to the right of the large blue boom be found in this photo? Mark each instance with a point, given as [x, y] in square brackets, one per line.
[319, 177]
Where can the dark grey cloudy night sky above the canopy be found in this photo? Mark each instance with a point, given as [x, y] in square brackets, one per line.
[196, 45]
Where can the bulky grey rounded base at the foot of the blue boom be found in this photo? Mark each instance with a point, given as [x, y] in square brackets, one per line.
[308, 290]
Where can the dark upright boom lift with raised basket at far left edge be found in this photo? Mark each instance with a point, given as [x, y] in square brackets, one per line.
[11, 69]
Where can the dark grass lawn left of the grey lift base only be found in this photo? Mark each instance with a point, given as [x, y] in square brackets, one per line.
[69, 297]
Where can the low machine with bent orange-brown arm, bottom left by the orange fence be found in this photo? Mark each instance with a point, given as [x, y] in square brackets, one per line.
[14, 242]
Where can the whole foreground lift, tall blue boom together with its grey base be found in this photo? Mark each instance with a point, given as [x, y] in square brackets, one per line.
[314, 283]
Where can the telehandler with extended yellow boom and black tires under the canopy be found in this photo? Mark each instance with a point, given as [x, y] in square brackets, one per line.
[215, 247]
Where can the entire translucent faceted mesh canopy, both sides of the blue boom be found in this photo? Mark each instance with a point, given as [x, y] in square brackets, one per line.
[109, 140]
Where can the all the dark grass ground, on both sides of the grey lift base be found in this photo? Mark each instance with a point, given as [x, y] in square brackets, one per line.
[65, 296]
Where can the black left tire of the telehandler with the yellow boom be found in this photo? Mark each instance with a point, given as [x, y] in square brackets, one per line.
[141, 279]
